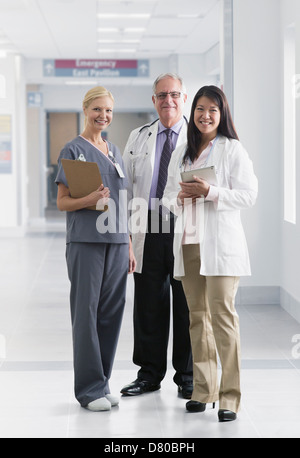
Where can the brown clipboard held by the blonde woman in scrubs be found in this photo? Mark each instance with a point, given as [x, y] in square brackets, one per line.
[83, 178]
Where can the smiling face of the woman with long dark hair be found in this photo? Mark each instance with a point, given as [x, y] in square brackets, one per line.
[207, 117]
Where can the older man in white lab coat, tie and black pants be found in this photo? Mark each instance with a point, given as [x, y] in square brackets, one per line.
[146, 159]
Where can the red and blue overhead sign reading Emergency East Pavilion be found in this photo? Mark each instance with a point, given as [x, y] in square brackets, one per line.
[95, 68]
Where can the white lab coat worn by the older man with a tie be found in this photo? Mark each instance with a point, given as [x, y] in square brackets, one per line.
[139, 157]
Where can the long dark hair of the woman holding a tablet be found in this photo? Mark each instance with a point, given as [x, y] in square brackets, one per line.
[225, 128]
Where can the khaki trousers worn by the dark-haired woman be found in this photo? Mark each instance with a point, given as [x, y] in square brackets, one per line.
[214, 329]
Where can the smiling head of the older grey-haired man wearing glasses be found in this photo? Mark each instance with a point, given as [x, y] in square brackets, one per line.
[169, 109]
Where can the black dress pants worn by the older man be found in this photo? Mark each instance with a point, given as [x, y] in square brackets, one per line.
[152, 312]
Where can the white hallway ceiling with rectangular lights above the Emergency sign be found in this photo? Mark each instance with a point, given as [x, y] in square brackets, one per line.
[102, 29]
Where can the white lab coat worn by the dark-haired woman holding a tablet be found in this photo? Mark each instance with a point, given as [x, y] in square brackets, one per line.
[223, 247]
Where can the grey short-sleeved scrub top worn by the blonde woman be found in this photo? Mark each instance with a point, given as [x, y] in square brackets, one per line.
[91, 225]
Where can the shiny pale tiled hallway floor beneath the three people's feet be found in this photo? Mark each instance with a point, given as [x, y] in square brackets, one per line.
[36, 377]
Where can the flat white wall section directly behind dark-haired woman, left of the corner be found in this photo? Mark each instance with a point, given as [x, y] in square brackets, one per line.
[257, 104]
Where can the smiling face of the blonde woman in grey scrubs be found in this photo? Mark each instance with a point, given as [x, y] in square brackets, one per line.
[99, 114]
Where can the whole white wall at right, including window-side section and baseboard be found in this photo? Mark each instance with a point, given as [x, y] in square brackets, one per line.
[258, 69]
